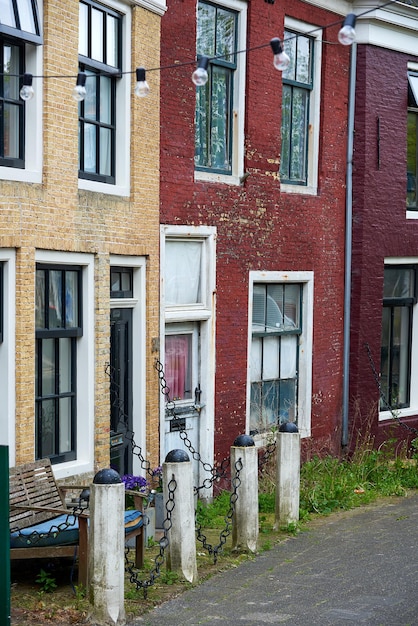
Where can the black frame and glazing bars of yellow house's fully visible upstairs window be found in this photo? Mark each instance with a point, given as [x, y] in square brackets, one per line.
[98, 71]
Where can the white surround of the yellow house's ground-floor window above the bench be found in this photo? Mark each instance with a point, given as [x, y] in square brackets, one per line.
[85, 367]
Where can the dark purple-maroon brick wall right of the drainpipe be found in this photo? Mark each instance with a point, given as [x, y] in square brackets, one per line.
[380, 225]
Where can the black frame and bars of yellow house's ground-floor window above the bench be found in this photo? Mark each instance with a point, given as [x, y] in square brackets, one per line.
[56, 334]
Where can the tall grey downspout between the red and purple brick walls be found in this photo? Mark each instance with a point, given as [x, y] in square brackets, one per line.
[348, 242]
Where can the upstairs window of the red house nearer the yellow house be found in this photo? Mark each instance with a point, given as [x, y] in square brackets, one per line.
[217, 39]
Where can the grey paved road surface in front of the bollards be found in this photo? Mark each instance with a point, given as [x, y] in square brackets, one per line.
[355, 567]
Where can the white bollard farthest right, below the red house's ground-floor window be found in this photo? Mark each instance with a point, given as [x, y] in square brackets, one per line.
[288, 477]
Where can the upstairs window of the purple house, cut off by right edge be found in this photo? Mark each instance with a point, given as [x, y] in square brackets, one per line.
[412, 143]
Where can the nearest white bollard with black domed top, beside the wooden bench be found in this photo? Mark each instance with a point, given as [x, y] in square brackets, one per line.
[107, 550]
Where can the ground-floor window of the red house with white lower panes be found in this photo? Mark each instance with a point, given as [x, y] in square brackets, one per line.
[274, 359]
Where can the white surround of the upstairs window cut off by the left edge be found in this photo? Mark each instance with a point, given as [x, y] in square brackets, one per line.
[32, 172]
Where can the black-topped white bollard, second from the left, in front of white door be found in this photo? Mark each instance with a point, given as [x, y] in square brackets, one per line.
[181, 551]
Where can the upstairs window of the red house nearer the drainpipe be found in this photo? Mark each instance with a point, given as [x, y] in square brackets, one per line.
[297, 88]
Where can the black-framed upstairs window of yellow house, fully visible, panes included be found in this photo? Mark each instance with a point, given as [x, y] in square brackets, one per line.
[100, 58]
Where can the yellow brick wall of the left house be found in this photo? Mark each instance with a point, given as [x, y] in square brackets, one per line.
[56, 215]
